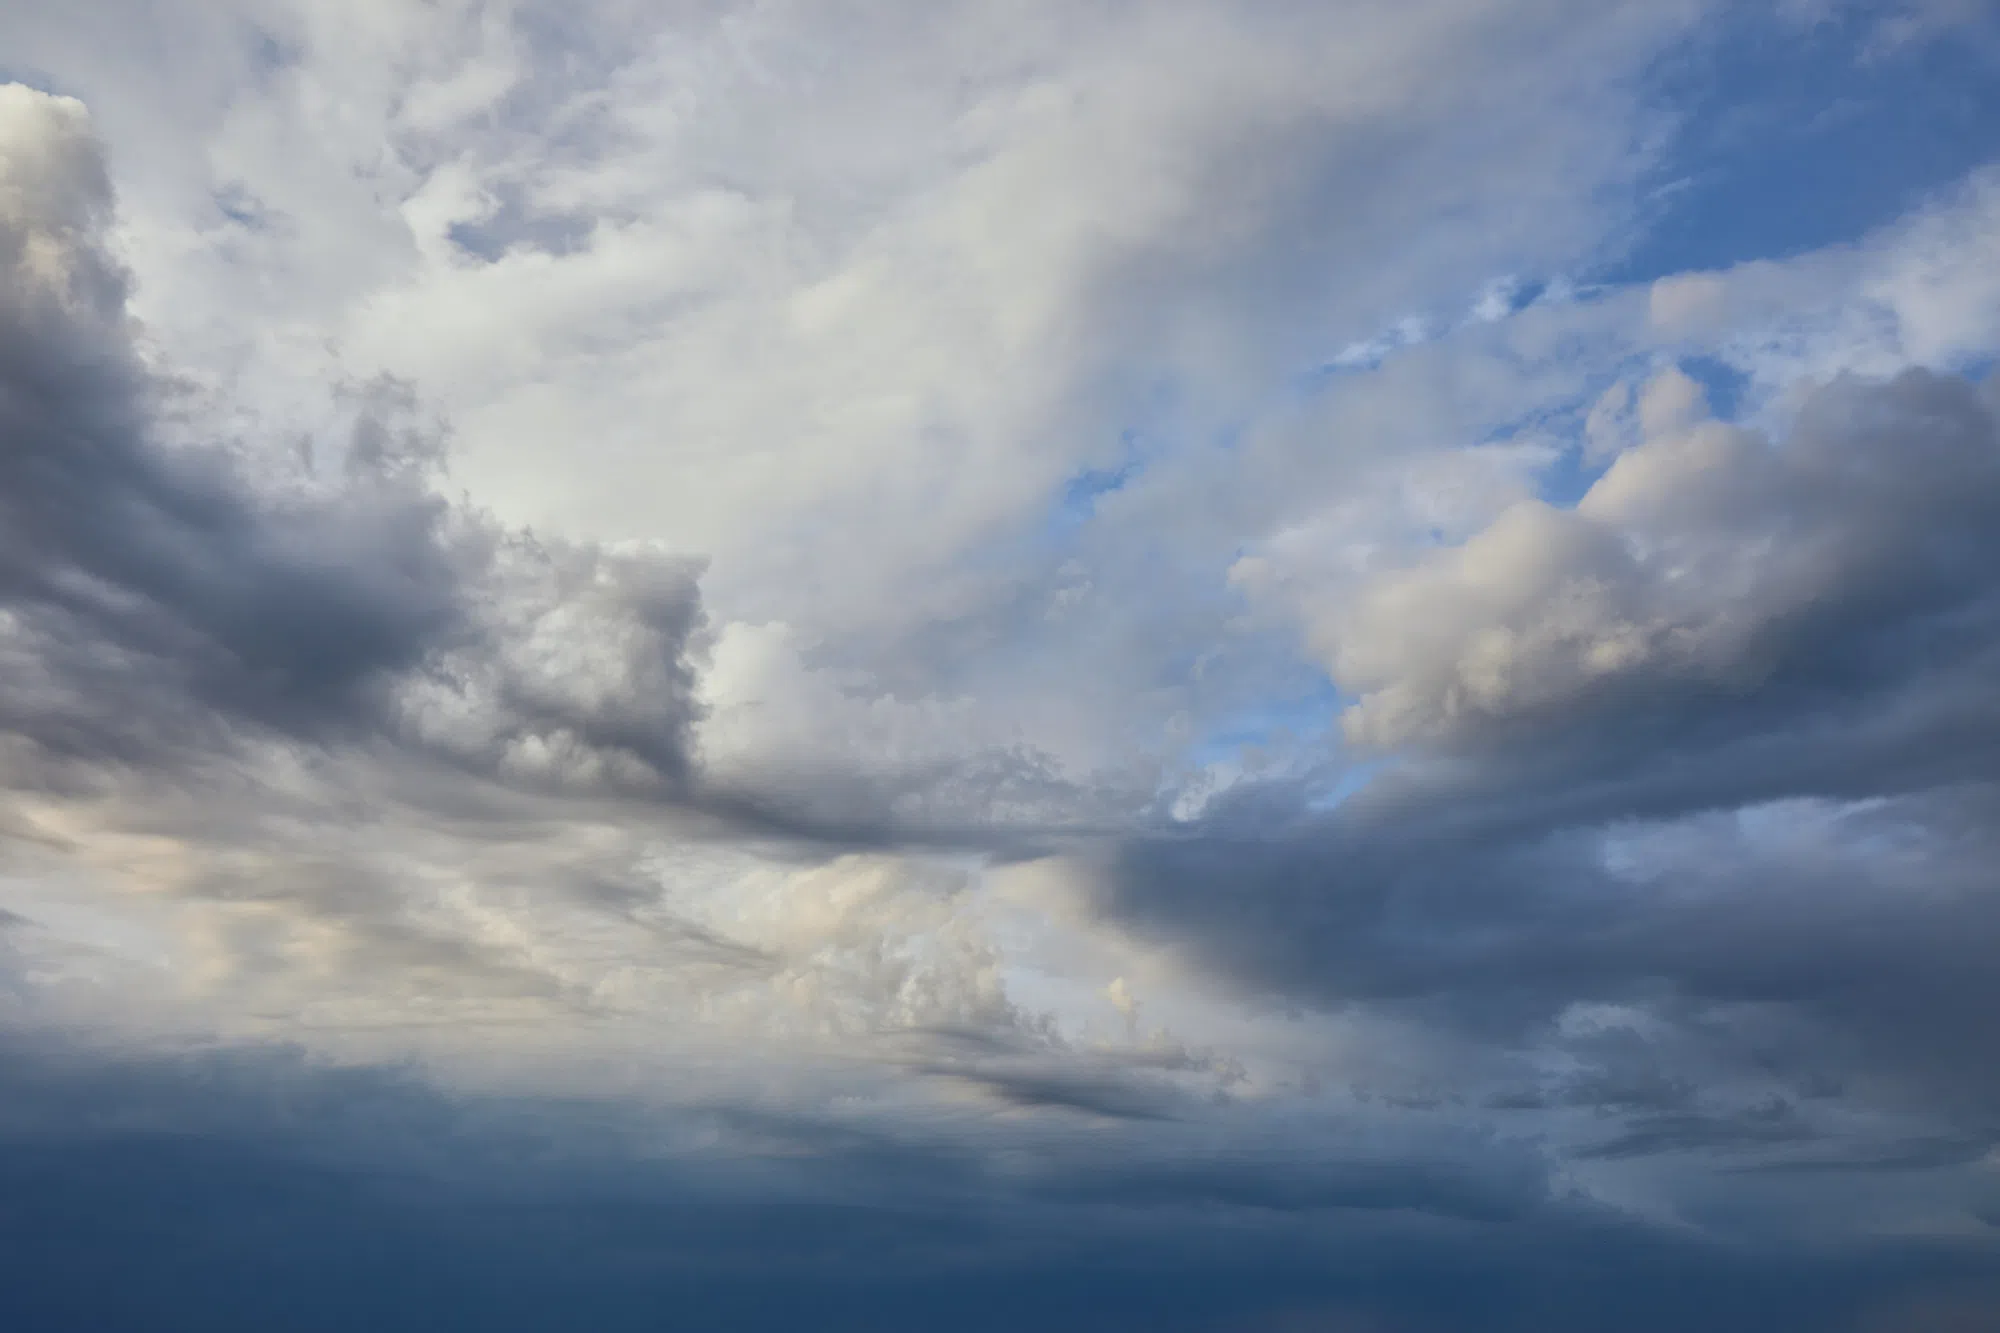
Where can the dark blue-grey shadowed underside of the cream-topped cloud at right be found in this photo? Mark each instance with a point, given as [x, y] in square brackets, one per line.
[1471, 884]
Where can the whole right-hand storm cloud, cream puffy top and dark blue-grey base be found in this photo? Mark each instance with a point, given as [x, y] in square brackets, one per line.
[1721, 744]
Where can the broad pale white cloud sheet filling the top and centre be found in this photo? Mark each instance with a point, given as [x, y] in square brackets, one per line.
[885, 343]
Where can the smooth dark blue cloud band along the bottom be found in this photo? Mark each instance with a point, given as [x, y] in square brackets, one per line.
[253, 1192]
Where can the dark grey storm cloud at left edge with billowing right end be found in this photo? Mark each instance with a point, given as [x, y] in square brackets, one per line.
[161, 593]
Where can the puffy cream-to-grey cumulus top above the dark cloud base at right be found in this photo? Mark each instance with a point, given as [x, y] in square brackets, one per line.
[1707, 563]
